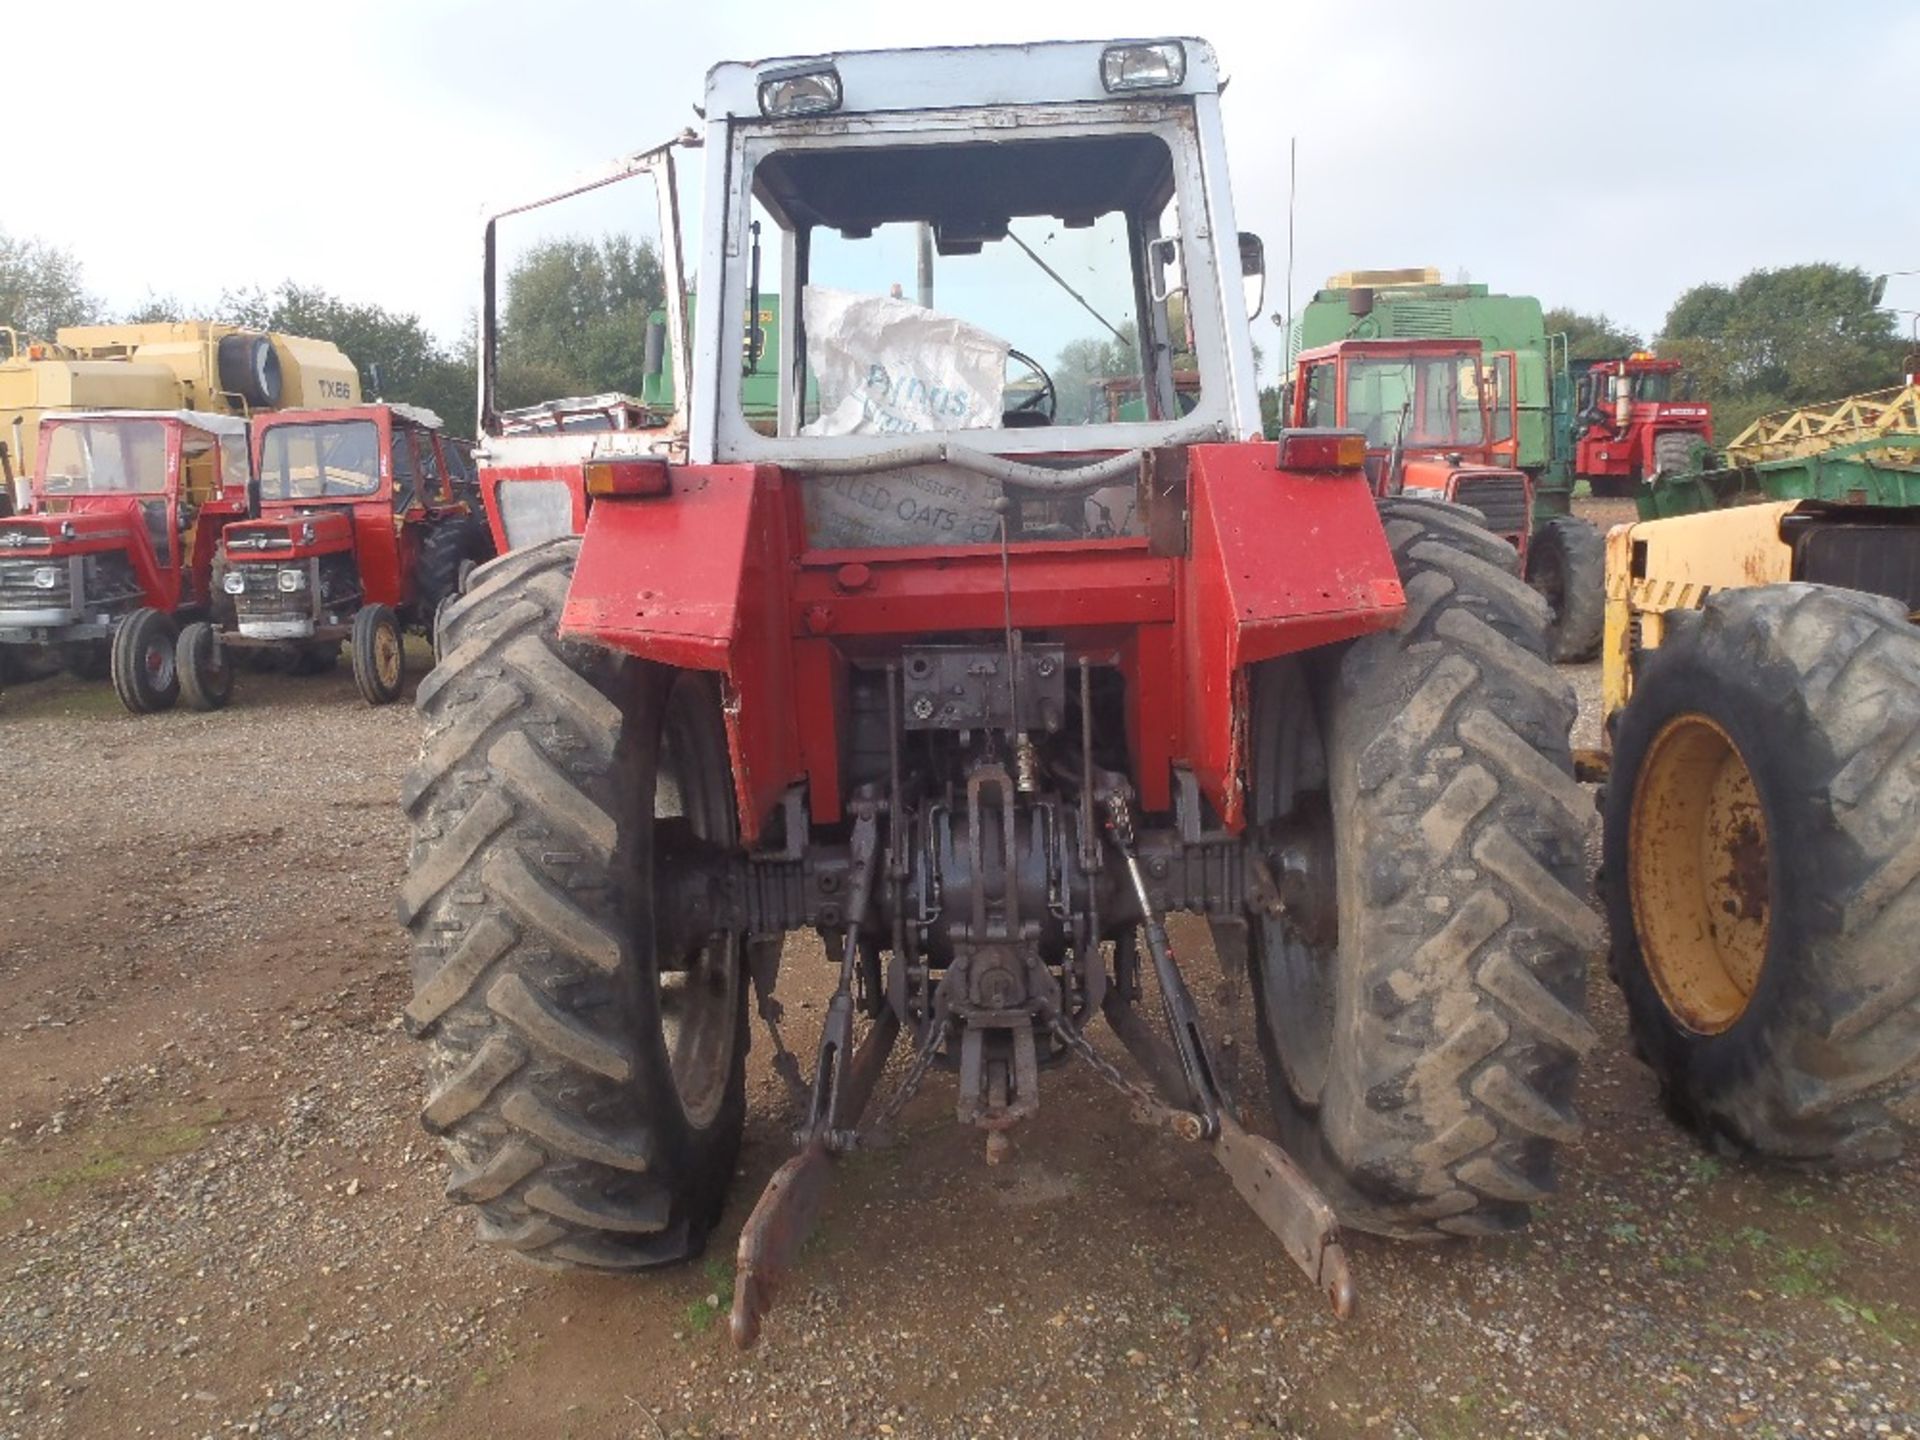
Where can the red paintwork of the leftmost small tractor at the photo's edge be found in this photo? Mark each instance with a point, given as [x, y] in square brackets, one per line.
[110, 523]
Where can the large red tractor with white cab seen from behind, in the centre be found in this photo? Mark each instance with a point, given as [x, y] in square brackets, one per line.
[980, 696]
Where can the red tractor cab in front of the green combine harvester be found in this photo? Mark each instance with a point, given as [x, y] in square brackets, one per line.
[1439, 420]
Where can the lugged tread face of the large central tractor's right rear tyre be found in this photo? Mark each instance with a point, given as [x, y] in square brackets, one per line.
[1470, 984]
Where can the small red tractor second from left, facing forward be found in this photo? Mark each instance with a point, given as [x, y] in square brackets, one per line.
[360, 537]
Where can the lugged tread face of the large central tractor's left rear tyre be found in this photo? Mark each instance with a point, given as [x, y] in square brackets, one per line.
[537, 1088]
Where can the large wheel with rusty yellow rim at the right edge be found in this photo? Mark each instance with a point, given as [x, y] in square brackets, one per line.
[1764, 871]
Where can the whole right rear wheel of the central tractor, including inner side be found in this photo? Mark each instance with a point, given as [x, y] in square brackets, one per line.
[1422, 1001]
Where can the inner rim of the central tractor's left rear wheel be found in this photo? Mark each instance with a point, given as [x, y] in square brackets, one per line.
[698, 999]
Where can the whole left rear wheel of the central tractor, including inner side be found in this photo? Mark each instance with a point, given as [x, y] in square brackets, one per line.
[588, 1086]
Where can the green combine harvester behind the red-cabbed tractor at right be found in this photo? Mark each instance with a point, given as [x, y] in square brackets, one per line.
[1566, 558]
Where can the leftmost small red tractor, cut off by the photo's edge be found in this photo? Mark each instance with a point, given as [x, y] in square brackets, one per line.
[118, 542]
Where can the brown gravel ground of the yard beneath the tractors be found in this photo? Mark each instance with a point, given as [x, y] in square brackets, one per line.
[222, 1218]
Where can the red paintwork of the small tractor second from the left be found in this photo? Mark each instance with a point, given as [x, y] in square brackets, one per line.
[383, 540]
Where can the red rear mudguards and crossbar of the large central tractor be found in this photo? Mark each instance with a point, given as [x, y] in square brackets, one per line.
[715, 577]
